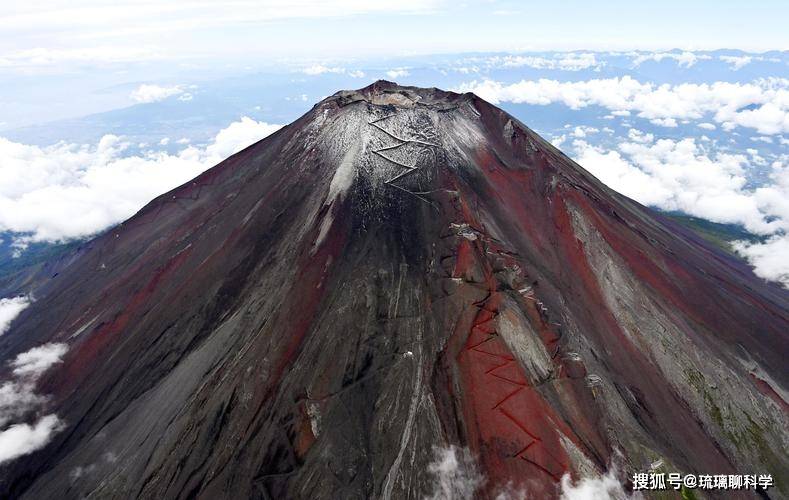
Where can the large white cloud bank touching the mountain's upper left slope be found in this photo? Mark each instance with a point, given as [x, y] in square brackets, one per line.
[67, 191]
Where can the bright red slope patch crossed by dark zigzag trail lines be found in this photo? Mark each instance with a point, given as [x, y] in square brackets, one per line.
[518, 434]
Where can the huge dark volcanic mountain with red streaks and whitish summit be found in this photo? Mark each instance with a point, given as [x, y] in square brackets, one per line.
[400, 275]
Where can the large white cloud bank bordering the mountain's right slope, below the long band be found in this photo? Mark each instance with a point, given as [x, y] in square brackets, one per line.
[681, 175]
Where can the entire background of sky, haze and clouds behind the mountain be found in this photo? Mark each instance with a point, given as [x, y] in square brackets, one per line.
[680, 106]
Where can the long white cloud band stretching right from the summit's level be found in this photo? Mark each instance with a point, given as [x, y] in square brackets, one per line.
[762, 105]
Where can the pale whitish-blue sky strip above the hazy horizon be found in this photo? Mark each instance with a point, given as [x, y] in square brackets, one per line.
[89, 31]
